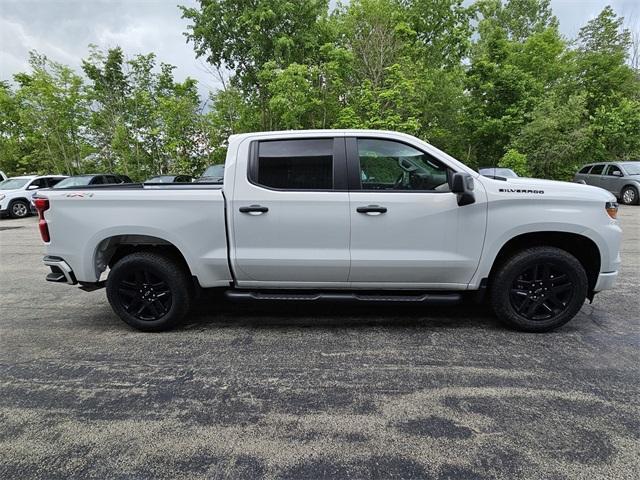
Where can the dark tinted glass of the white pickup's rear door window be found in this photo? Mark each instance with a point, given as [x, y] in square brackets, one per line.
[295, 164]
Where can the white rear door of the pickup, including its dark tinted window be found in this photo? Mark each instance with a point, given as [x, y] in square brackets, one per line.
[290, 210]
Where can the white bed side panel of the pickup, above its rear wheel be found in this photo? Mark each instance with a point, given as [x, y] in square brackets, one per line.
[84, 221]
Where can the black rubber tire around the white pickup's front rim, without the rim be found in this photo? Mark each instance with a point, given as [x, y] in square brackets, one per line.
[512, 267]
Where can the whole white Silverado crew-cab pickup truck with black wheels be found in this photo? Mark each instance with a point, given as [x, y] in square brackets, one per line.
[334, 215]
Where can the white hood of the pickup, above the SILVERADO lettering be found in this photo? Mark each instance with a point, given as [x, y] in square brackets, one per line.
[553, 188]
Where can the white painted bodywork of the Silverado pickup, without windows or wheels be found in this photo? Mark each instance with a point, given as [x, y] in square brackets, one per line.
[314, 239]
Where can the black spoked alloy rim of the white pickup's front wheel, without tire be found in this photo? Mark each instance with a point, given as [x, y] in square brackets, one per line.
[542, 291]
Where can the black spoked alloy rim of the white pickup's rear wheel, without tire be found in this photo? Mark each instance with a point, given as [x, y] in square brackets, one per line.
[145, 295]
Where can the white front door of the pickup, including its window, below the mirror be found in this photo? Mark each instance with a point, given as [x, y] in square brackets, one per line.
[407, 229]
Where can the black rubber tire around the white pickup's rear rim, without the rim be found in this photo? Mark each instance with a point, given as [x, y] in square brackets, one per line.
[165, 267]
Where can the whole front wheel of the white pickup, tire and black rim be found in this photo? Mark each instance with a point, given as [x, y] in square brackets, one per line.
[539, 289]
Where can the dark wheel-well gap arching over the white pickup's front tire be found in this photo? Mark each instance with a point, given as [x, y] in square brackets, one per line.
[580, 246]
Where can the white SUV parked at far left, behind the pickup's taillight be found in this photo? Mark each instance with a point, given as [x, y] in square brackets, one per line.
[16, 193]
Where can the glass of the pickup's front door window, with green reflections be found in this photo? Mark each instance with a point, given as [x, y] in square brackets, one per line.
[389, 165]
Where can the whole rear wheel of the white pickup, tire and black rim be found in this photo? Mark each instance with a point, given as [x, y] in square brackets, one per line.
[149, 291]
